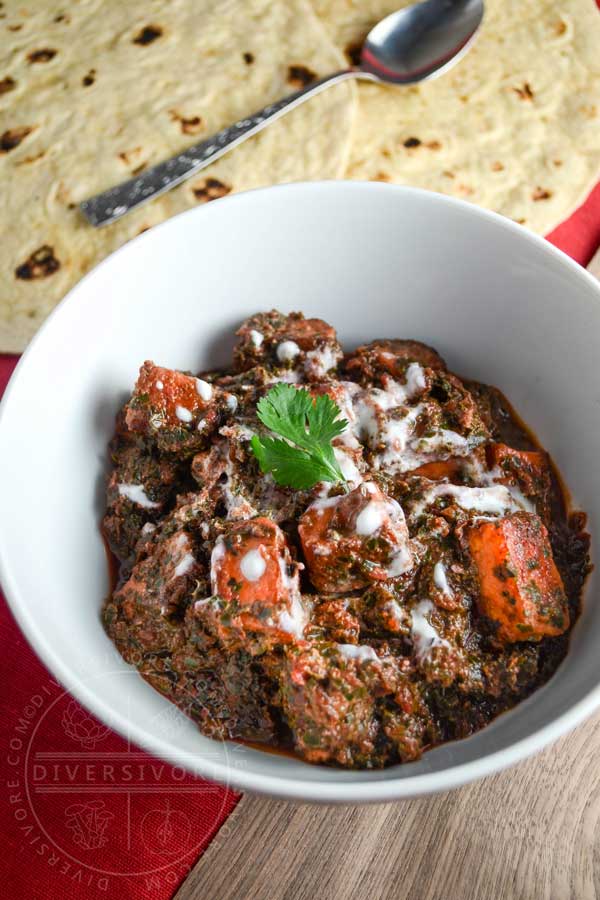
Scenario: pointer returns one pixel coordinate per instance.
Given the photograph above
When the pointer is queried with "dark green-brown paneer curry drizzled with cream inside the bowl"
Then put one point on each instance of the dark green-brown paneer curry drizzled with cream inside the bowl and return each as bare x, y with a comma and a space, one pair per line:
406, 602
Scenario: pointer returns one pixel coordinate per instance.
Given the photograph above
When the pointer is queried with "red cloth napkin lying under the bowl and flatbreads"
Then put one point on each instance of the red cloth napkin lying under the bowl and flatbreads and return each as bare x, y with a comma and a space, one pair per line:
72, 826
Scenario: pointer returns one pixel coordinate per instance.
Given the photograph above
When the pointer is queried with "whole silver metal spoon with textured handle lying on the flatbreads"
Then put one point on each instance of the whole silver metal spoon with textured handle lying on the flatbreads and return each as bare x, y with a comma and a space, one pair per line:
413, 44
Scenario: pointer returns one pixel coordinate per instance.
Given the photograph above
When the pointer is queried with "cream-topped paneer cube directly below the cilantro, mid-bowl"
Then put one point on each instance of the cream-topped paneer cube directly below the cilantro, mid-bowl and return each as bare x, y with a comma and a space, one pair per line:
353, 539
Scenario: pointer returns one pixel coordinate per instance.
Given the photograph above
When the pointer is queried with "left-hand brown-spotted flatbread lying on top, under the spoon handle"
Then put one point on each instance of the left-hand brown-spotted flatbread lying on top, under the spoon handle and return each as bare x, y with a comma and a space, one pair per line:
91, 92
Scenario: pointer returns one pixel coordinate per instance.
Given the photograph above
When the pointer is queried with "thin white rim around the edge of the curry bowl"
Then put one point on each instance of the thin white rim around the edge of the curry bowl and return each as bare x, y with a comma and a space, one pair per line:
285, 786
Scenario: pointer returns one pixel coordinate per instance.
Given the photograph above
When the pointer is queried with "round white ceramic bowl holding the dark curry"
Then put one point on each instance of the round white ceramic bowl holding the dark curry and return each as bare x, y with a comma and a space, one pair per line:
376, 261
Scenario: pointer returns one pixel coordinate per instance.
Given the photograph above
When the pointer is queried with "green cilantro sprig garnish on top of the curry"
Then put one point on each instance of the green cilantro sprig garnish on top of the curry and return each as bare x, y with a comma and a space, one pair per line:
303, 454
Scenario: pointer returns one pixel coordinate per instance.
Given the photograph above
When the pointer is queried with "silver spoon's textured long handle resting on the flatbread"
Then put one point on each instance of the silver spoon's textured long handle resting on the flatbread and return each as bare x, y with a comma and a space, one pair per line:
119, 200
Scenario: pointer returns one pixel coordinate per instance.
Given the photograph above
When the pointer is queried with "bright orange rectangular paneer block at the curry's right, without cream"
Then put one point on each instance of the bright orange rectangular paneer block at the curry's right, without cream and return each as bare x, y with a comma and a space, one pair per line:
520, 587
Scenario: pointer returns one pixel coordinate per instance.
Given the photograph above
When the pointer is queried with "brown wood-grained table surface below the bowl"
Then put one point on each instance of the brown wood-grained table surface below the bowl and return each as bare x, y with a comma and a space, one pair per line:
530, 833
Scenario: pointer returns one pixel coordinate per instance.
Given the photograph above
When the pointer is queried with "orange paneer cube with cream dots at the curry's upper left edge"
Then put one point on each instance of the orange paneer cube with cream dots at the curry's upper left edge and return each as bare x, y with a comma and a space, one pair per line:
177, 410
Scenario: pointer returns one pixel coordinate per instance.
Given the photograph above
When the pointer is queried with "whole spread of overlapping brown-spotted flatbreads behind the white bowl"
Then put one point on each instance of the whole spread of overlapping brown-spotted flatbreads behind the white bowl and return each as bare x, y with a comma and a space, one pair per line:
94, 91
